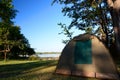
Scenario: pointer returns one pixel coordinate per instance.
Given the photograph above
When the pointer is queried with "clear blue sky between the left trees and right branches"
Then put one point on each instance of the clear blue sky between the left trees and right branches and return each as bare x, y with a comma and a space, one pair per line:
38, 21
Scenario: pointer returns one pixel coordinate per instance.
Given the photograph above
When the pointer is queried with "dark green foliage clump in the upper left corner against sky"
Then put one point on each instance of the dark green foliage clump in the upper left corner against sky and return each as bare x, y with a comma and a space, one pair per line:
7, 11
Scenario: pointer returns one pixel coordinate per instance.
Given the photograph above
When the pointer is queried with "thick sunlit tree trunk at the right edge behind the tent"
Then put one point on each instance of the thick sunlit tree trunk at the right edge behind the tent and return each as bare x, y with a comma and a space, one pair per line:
114, 6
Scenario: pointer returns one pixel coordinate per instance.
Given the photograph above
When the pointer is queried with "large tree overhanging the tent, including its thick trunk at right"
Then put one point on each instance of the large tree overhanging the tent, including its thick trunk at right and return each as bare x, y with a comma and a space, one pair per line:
100, 14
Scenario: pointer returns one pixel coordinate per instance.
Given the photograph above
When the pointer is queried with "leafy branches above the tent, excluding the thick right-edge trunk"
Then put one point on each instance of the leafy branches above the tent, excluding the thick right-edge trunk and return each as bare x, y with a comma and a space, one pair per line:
88, 15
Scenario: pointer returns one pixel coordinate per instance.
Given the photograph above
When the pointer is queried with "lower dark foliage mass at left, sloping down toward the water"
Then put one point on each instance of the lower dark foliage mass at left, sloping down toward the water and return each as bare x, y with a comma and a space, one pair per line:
11, 39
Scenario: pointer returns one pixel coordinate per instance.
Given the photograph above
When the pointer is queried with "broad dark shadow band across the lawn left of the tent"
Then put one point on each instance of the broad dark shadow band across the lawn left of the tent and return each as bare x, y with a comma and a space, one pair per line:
12, 70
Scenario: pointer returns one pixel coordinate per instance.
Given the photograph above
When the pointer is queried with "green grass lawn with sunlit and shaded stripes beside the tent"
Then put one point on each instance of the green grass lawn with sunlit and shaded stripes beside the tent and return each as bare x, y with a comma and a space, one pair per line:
33, 70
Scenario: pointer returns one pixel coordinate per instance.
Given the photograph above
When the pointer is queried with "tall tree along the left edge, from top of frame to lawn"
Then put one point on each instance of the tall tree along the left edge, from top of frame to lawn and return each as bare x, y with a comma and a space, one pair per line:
7, 13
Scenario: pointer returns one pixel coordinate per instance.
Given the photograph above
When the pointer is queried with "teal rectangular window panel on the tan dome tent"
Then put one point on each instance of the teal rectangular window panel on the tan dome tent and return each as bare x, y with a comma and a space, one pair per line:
83, 52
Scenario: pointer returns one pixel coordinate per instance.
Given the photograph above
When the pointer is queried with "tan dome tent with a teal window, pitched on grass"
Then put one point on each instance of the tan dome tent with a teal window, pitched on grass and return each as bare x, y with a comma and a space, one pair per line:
85, 55
